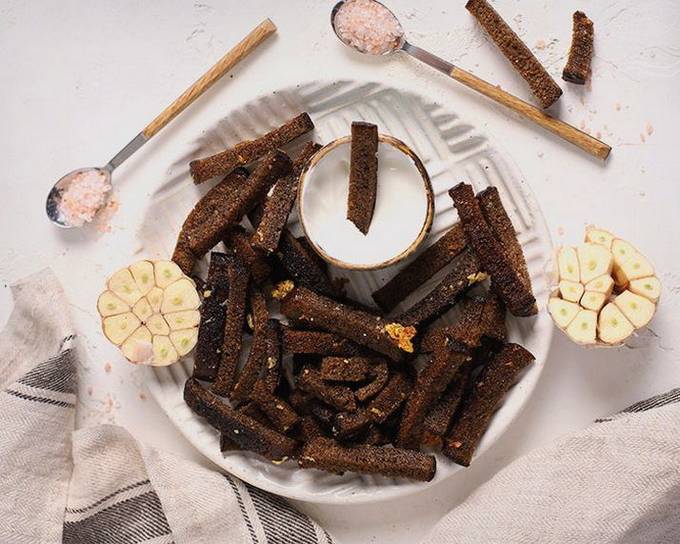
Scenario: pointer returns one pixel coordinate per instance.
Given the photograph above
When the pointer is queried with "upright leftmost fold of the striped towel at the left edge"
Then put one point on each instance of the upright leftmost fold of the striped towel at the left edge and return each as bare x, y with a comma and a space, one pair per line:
37, 413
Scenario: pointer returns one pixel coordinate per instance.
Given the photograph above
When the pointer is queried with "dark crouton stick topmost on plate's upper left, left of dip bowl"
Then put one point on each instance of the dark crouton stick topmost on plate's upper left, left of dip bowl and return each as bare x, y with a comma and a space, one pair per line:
246, 152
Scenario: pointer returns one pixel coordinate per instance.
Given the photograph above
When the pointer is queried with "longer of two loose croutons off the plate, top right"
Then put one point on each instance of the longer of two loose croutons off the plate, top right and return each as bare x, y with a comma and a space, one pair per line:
544, 88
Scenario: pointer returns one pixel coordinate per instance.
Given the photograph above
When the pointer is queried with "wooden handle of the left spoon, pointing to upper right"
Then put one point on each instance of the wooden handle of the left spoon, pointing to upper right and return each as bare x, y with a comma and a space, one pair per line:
261, 32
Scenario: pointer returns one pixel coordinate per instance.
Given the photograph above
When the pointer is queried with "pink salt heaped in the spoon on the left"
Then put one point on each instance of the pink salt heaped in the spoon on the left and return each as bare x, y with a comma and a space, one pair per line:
85, 193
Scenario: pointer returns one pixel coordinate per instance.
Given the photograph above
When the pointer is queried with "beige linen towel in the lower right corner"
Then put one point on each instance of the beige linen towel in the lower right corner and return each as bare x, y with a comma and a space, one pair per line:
616, 482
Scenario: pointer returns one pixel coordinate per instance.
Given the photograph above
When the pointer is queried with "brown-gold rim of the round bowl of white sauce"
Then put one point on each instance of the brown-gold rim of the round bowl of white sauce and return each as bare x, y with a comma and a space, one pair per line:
427, 184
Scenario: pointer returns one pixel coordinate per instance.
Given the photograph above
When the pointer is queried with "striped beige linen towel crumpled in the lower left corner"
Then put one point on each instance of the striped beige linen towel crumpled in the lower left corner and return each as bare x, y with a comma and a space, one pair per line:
99, 485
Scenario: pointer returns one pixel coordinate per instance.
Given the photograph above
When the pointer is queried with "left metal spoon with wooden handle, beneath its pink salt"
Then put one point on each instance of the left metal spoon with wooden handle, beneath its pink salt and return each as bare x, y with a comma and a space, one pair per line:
262, 31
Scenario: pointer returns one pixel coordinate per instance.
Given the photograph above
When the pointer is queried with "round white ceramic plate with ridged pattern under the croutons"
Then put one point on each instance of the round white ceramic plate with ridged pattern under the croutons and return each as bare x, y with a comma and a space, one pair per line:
452, 151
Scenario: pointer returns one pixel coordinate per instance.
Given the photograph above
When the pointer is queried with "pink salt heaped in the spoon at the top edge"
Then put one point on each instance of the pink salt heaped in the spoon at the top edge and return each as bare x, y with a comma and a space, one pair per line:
368, 26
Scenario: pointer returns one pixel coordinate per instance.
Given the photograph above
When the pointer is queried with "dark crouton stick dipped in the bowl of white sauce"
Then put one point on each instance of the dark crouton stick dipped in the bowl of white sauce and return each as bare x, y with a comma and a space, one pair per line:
363, 175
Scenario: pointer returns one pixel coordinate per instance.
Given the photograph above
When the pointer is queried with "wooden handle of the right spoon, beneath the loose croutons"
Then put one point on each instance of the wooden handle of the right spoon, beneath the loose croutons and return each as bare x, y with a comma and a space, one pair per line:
563, 130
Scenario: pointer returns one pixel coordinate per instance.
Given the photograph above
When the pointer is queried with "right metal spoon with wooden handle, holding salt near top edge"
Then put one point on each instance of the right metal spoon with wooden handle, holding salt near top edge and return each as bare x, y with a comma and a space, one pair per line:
565, 131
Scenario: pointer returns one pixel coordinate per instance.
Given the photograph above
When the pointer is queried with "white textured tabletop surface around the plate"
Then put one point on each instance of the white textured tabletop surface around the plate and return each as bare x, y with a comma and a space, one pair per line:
81, 78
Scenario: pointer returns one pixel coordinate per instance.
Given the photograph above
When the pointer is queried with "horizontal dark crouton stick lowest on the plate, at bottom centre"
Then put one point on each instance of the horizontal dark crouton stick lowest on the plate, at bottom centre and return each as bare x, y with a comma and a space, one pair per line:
325, 454
